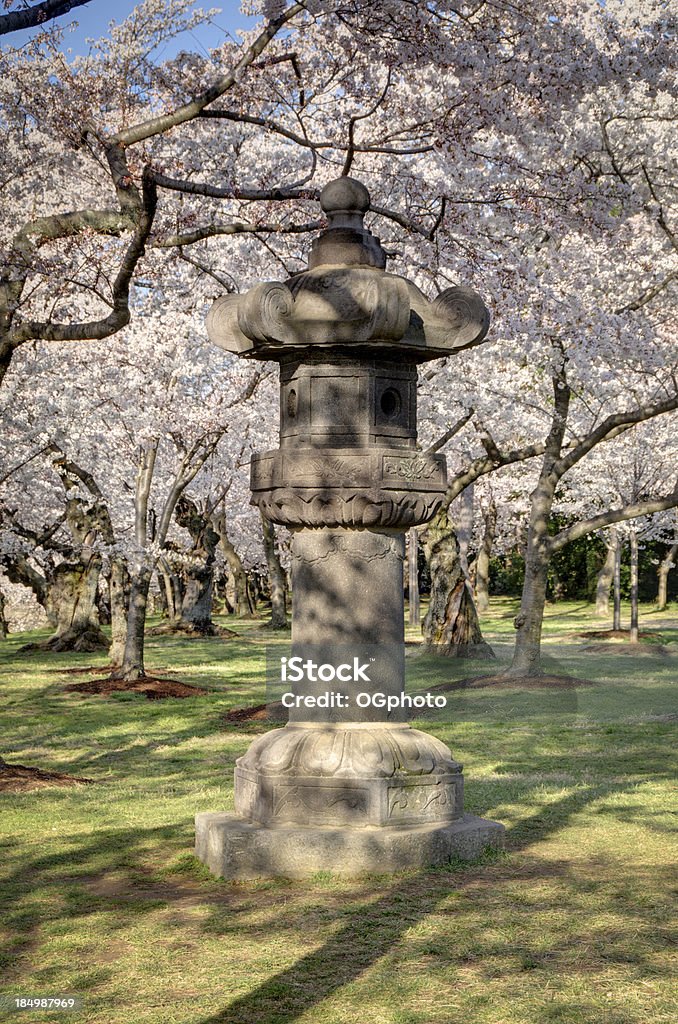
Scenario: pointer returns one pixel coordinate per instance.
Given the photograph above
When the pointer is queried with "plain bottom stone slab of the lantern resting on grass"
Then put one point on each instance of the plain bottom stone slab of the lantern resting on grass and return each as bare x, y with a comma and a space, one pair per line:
239, 850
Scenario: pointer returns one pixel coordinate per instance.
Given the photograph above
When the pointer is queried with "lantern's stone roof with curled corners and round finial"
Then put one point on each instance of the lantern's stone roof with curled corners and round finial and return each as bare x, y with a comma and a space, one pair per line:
348, 301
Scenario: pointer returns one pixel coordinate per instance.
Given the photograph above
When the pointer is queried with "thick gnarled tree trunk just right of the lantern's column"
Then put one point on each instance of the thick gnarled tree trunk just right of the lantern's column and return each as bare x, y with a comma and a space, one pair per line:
451, 627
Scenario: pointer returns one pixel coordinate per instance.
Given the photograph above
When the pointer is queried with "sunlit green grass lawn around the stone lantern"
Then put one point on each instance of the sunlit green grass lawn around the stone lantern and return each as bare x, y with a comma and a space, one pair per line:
102, 898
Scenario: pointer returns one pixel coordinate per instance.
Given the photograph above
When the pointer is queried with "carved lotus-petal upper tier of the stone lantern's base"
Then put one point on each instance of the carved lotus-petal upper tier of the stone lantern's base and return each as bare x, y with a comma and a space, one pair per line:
354, 775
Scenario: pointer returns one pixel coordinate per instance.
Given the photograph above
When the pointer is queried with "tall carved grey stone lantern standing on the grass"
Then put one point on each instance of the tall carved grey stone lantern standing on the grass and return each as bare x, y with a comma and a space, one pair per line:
351, 788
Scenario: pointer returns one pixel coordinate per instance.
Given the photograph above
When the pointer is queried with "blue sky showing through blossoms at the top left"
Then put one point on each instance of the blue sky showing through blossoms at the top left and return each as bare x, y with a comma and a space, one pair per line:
94, 21
